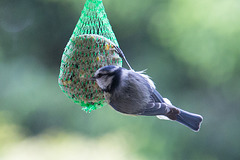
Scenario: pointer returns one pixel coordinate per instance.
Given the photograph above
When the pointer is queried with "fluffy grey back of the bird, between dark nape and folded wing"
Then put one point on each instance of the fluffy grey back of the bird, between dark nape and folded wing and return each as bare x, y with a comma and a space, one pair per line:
132, 94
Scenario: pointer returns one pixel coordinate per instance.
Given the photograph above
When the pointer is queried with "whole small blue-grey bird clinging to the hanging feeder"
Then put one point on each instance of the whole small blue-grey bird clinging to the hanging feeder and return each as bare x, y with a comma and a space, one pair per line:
134, 93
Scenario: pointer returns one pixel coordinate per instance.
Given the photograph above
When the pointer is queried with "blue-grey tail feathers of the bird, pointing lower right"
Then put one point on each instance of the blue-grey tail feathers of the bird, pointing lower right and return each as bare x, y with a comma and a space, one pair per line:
190, 120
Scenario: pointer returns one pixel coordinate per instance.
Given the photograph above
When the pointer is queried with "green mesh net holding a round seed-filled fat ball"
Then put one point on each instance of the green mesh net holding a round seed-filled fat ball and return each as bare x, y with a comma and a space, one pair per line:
91, 46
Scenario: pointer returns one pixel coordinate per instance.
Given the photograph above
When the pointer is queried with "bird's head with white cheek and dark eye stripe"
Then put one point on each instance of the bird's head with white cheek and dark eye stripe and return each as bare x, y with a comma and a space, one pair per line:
105, 76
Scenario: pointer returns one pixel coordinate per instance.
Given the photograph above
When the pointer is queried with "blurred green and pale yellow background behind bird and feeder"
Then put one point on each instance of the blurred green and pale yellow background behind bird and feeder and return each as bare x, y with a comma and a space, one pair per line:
191, 50
